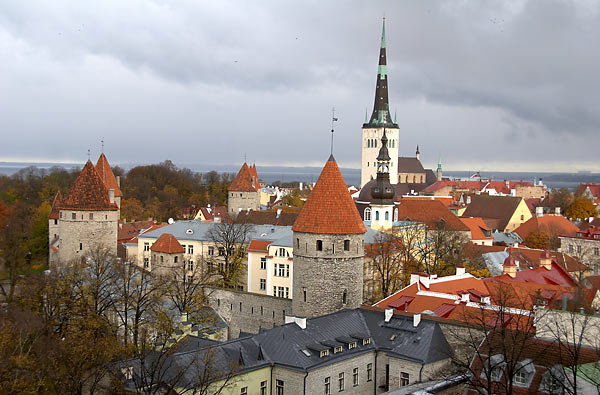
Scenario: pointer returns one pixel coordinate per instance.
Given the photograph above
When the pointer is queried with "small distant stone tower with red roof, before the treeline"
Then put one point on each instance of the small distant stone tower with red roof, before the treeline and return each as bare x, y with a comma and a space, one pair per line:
244, 191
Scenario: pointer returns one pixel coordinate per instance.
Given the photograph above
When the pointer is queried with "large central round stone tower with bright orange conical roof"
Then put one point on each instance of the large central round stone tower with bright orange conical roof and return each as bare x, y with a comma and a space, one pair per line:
328, 249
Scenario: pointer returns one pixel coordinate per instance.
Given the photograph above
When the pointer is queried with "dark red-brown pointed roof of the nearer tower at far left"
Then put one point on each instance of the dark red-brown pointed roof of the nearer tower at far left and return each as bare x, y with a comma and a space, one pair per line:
88, 192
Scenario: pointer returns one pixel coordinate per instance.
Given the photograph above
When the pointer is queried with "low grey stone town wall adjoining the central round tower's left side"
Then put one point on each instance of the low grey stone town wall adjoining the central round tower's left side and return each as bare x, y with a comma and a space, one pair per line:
248, 312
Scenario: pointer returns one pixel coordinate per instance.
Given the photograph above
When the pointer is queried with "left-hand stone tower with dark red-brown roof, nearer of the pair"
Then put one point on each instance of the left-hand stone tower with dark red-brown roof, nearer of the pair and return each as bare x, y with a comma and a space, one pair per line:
88, 216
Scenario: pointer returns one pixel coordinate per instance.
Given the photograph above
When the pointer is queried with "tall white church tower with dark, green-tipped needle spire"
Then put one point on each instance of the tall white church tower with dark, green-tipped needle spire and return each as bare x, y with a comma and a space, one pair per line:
372, 130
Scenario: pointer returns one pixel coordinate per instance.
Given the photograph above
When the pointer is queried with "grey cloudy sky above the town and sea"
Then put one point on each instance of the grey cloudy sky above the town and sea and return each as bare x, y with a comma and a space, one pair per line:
488, 85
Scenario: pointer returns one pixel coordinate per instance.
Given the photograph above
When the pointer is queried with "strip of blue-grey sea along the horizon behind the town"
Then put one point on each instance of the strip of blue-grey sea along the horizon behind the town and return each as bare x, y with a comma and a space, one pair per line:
270, 174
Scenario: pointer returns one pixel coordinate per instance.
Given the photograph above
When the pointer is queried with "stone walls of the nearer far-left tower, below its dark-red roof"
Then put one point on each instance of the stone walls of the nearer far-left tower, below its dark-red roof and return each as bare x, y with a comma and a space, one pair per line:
79, 236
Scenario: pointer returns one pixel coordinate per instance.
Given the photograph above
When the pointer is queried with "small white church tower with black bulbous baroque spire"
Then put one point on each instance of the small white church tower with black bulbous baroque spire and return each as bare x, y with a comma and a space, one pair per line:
382, 192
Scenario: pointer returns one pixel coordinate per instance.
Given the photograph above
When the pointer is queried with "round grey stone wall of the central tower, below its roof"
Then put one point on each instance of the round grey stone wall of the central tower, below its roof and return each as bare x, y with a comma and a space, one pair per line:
325, 275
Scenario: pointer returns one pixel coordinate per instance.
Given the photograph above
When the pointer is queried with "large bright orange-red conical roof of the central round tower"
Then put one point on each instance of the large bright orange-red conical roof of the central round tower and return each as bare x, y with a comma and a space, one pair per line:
329, 208
